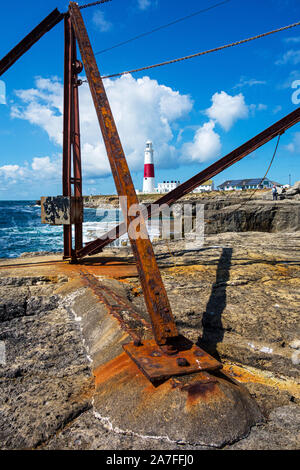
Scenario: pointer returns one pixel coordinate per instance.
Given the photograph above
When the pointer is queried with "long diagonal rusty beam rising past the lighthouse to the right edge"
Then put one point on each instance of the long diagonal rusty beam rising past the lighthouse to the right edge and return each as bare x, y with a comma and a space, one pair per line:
248, 147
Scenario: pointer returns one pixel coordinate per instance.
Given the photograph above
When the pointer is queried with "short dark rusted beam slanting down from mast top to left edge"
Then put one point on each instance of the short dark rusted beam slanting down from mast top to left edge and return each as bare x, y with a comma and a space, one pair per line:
46, 25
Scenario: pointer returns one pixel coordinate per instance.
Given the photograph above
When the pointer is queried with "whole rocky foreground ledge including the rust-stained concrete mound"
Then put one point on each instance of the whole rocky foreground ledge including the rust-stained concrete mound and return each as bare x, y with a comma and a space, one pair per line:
67, 384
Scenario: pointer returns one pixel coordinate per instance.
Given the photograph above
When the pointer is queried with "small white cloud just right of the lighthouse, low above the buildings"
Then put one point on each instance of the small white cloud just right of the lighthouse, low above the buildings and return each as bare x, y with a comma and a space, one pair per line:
206, 144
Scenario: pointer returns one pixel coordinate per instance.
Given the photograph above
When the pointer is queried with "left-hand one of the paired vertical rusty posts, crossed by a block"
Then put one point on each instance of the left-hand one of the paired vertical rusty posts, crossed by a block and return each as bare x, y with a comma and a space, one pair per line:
67, 132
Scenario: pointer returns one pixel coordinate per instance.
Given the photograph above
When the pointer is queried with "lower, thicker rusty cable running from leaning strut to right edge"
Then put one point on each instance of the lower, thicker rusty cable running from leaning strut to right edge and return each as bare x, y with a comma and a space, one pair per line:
173, 61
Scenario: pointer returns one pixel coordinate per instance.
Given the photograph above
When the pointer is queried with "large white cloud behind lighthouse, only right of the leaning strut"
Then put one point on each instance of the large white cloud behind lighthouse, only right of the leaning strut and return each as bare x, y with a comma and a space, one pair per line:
148, 111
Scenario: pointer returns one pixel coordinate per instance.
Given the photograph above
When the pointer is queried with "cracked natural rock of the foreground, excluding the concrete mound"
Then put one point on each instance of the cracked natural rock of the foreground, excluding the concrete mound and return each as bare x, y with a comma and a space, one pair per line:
237, 297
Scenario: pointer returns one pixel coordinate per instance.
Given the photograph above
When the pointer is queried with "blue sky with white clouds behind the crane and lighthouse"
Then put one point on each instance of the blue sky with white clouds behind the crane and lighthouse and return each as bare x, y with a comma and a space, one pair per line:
194, 112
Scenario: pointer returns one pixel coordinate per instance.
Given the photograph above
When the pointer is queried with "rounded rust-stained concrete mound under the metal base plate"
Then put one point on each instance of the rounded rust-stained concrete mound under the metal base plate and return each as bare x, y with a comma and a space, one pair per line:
199, 409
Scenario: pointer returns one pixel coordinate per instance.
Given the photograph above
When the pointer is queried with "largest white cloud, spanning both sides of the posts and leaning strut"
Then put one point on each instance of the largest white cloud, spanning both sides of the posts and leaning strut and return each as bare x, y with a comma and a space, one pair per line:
142, 109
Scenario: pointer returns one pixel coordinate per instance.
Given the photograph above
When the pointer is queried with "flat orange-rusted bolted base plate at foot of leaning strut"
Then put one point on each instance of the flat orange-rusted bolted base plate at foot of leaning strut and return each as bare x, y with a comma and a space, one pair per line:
157, 366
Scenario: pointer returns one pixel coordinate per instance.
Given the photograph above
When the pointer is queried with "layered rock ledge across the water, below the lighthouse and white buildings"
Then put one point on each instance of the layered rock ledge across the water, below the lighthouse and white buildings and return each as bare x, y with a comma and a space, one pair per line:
233, 212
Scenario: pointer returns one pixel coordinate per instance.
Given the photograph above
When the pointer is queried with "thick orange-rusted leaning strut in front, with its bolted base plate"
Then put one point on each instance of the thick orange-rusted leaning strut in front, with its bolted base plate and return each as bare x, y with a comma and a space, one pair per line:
152, 357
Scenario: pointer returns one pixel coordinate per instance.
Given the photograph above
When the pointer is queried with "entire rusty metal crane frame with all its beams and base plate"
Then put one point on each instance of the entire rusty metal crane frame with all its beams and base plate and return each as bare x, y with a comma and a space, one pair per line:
169, 353
